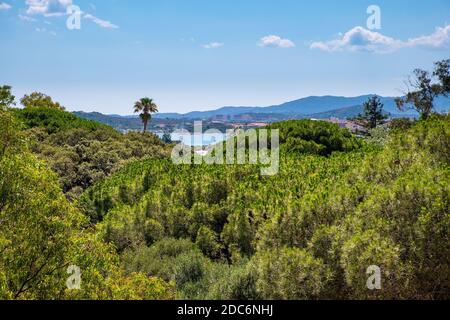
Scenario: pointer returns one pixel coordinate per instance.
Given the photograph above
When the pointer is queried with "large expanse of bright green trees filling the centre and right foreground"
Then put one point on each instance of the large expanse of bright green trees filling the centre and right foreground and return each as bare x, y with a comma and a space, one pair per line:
310, 232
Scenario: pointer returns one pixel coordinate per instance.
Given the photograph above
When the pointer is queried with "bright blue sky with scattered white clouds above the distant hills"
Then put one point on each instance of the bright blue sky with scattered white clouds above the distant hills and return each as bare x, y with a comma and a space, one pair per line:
203, 54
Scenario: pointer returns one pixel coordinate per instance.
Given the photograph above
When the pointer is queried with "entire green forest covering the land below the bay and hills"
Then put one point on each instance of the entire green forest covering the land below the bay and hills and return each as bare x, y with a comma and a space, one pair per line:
74, 192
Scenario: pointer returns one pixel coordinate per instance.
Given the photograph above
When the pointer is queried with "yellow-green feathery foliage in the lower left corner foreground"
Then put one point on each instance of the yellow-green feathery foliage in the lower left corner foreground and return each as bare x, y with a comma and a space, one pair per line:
41, 234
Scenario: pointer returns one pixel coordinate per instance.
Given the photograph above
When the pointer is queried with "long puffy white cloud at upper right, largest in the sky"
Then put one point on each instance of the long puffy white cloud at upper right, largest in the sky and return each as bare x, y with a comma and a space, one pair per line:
361, 39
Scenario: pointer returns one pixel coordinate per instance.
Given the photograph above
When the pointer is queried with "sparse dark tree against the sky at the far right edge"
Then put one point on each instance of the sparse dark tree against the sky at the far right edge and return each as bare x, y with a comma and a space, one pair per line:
426, 88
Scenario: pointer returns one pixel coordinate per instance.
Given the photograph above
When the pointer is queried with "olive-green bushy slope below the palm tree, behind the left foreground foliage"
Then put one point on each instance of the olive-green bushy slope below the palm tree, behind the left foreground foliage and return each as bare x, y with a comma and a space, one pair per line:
80, 151
